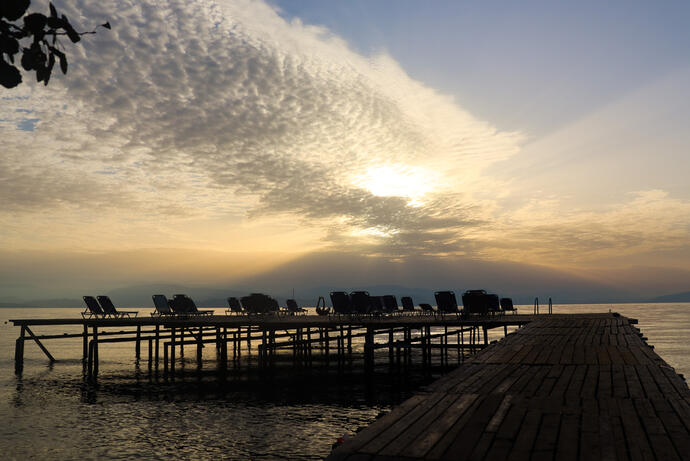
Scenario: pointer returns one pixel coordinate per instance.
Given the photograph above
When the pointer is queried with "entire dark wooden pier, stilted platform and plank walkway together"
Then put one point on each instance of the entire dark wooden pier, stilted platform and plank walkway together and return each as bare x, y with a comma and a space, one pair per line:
564, 387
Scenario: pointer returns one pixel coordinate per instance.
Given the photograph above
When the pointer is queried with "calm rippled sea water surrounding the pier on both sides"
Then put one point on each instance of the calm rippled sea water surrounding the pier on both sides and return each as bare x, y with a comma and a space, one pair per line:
295, 413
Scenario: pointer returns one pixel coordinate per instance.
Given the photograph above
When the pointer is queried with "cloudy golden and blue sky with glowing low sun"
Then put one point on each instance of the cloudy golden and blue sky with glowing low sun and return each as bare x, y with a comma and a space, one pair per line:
442, 145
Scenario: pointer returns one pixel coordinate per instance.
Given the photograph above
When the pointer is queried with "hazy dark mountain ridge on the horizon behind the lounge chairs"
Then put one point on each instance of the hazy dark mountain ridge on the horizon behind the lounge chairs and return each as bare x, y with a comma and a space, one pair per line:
318, 274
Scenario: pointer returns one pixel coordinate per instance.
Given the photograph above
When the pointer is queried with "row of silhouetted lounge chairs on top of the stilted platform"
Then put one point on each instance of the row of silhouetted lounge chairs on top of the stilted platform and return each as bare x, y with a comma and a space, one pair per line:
355, 303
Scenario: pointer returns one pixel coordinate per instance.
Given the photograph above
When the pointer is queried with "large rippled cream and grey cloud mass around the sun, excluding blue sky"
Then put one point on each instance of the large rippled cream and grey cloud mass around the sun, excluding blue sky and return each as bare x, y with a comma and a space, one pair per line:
214, 109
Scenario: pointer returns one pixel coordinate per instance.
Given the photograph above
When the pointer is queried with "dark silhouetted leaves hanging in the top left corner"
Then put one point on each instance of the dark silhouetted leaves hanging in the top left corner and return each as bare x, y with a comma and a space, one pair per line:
40, 33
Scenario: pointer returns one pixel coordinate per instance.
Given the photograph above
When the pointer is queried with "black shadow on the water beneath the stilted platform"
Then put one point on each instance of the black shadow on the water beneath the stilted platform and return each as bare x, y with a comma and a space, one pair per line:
279, 383
